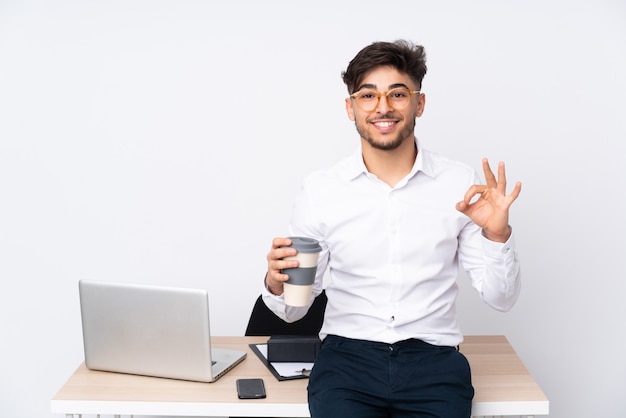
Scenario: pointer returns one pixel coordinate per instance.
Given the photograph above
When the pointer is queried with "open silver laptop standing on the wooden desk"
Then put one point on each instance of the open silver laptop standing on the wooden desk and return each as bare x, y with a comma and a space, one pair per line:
152, 331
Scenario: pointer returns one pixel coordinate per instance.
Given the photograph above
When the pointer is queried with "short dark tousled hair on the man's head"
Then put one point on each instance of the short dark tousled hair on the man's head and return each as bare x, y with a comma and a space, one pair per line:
404, 56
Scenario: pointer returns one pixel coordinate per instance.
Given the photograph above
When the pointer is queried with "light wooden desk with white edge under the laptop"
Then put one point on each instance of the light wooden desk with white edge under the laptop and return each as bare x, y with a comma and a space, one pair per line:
502, 384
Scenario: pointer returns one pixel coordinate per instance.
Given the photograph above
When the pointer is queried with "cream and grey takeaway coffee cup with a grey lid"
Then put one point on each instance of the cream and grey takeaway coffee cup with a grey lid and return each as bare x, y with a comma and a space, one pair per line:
297, 290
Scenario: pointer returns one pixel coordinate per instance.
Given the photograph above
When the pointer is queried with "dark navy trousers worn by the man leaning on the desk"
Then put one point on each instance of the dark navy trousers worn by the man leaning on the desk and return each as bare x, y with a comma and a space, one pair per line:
411, 378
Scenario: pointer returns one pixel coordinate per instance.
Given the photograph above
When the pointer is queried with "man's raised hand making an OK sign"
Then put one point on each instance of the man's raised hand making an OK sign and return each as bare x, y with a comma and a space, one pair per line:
491, 210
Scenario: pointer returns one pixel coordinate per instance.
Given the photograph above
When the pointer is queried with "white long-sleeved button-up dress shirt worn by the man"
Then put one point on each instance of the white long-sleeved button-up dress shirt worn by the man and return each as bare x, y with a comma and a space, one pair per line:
392, 254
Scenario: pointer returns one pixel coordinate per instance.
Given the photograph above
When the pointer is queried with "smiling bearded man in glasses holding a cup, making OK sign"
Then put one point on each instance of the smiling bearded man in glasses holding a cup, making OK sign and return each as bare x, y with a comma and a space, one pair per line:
393, 232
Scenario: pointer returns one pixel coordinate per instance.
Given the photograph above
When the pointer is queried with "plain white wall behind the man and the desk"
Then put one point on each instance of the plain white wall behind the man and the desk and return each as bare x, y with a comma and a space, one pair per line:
162, 142
